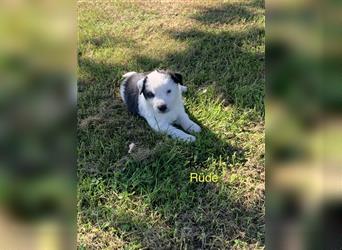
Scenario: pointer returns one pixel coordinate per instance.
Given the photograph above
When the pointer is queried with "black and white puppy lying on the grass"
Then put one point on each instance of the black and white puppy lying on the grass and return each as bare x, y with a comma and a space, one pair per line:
157, 97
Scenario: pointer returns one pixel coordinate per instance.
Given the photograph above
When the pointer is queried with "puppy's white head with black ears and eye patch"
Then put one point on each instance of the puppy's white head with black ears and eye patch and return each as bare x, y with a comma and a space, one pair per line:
161, 89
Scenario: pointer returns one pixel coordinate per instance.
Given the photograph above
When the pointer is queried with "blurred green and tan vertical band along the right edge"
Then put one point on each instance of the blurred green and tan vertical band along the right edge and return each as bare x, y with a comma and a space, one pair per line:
304, 124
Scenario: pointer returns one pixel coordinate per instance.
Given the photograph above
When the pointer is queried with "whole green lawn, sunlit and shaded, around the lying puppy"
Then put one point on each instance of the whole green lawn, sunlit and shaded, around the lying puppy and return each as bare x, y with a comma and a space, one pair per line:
144, 200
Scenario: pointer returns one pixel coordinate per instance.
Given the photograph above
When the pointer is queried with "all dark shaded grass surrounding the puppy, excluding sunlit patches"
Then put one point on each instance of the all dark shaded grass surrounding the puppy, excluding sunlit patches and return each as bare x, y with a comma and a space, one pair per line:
199, 216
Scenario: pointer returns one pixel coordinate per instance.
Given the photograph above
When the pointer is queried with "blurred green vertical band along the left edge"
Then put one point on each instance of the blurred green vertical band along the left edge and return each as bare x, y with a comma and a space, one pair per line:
37, 124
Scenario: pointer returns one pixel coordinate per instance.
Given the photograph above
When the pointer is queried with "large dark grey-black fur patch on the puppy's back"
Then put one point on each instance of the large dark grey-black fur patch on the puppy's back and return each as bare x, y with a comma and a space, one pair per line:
132, 92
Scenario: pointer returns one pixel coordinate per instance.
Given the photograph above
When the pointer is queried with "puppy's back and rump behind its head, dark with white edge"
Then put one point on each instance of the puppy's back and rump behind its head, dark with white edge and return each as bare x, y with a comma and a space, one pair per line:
129, 91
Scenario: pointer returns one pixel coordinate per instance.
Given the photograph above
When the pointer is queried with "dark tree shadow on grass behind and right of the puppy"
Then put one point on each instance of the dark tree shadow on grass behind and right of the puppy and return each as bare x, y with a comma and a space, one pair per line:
232, 73
